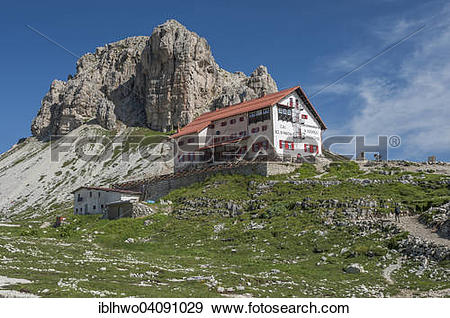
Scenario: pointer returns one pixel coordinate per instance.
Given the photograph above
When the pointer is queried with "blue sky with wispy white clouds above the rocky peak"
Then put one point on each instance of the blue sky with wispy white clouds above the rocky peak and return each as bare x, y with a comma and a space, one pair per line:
403, 92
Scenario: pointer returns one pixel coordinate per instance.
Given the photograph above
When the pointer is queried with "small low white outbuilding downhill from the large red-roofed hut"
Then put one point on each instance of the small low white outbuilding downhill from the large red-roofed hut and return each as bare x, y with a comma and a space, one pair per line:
94, 200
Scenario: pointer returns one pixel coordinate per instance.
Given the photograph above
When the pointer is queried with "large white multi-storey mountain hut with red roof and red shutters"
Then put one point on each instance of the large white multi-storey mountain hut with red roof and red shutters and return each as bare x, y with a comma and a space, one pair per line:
280, 126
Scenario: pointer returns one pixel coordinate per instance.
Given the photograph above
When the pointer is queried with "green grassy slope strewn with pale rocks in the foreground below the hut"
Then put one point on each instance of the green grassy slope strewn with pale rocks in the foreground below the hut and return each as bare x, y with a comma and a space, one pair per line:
194, 253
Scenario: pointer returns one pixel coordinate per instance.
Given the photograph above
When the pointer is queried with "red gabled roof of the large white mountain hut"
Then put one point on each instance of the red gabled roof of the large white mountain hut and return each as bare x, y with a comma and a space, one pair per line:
205, 119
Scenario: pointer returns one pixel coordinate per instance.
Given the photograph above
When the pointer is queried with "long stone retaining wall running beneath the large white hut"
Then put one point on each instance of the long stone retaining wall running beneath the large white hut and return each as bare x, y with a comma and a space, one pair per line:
157, 187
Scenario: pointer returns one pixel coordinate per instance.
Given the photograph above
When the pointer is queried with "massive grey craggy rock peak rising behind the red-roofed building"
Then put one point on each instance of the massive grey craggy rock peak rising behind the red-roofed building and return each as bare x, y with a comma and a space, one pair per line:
161, 82
